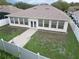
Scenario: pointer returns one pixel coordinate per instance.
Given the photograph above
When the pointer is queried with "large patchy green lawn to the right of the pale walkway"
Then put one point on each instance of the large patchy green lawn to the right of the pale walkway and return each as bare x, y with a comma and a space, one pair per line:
55, 45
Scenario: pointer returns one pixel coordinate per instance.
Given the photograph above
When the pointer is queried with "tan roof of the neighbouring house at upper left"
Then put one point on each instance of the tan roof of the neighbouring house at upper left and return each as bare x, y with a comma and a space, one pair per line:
9, 9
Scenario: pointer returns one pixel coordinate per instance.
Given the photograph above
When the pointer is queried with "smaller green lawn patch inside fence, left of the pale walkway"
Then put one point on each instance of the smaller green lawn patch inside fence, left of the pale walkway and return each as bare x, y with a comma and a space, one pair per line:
8, 32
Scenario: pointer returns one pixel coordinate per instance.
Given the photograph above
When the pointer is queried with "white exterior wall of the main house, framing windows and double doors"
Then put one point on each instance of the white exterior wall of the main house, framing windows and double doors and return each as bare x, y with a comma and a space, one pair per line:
45, 28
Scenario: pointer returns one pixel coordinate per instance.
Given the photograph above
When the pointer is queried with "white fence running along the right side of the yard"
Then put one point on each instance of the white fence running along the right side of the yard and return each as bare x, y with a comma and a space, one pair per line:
74, 28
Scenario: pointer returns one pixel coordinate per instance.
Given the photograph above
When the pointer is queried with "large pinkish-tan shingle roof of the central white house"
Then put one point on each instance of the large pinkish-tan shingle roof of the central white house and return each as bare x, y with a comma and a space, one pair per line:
42, 12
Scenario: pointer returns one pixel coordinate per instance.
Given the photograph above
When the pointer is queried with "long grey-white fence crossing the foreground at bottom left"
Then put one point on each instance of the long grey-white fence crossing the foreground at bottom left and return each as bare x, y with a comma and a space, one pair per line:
19, 52
